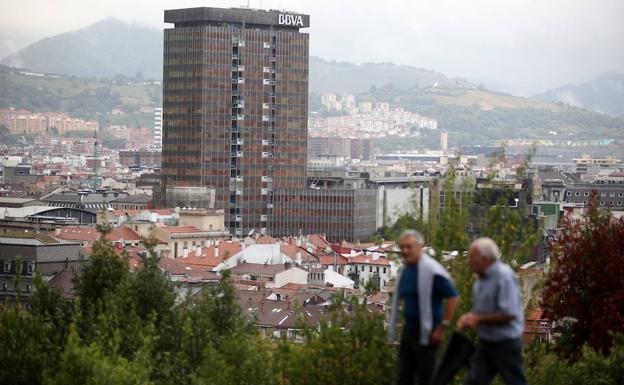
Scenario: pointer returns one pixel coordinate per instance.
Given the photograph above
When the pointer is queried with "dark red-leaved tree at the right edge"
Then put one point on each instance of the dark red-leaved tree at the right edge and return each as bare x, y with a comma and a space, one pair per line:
584, 291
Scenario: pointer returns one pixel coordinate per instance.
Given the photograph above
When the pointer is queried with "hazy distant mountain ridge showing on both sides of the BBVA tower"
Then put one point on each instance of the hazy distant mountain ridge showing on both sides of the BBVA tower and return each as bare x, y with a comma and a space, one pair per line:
111, 47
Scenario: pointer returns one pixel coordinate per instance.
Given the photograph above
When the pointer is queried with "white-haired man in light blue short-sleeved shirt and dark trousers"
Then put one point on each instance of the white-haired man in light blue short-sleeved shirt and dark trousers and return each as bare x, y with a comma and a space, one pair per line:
497, 316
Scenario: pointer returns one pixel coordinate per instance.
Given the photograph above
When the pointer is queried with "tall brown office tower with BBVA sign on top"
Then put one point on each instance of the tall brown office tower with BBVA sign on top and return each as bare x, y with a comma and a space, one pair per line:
235, 99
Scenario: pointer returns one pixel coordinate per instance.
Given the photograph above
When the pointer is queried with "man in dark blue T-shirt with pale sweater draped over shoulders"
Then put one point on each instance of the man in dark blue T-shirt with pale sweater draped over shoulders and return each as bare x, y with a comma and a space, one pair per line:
422, 286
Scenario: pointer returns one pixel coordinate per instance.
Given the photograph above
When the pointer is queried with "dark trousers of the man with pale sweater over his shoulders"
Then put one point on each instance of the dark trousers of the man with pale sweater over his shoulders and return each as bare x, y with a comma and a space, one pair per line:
416, 362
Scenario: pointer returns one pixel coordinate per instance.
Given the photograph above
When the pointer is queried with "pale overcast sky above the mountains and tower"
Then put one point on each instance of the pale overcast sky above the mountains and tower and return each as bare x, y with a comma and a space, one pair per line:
518, 46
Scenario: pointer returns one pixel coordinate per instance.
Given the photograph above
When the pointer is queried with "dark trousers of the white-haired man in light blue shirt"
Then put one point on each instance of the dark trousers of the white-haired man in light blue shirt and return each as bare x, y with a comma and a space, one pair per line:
491, 358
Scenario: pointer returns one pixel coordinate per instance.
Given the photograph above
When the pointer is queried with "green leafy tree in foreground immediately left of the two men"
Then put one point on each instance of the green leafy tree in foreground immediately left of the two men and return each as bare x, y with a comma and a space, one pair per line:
344, 349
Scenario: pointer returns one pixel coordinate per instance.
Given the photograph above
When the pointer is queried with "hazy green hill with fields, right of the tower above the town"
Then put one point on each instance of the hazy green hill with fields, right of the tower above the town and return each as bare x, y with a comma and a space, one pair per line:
481, 116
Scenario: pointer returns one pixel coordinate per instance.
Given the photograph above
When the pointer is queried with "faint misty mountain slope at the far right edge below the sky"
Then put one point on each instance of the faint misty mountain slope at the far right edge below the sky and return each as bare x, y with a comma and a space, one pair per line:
604, 94
